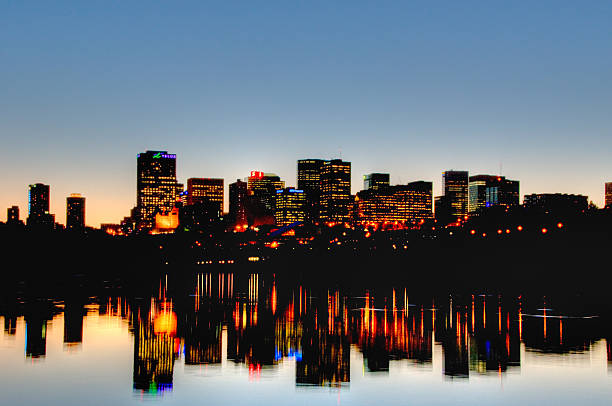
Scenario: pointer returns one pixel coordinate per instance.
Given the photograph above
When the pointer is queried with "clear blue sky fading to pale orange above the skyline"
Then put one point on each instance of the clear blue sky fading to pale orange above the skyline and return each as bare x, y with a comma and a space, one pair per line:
409, 88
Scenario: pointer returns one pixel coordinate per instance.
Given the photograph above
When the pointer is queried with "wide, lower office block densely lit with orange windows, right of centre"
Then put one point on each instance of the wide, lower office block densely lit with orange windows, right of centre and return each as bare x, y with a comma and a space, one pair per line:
400, 203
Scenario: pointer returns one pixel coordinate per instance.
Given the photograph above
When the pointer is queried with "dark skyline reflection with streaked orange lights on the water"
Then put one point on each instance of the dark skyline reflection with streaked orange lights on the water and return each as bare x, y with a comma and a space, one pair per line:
254, 322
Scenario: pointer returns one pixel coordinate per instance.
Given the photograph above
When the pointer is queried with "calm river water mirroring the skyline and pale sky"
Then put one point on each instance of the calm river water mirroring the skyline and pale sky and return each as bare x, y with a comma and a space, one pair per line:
226, 339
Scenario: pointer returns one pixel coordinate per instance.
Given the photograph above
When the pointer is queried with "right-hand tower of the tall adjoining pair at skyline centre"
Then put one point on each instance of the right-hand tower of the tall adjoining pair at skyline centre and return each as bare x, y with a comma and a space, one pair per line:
336, 199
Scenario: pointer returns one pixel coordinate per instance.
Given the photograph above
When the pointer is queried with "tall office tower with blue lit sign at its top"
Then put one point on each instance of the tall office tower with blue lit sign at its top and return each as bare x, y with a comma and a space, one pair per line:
157, 188
